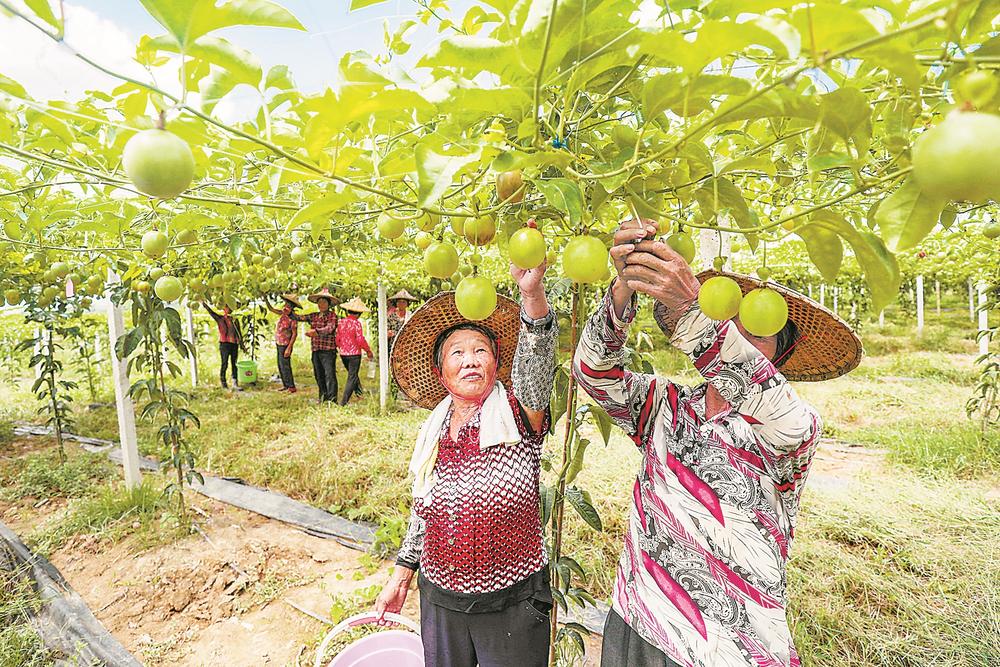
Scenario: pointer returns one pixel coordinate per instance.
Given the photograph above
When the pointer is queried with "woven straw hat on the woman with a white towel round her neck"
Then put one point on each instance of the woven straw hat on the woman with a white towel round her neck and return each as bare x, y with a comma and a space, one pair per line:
413, 352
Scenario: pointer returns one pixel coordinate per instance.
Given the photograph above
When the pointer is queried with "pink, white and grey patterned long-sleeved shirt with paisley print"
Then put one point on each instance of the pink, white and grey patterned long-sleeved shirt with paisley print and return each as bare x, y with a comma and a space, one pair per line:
702, 575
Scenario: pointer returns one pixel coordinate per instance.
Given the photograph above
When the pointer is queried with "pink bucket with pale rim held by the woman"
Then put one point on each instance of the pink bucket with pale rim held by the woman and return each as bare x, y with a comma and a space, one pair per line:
391, 648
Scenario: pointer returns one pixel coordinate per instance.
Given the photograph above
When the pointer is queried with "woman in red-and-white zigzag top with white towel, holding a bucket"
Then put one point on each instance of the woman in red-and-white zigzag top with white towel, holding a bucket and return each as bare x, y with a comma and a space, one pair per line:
475, 532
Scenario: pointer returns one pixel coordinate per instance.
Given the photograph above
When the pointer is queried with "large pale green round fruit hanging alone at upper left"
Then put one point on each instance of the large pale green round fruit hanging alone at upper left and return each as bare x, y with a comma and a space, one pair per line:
159, 163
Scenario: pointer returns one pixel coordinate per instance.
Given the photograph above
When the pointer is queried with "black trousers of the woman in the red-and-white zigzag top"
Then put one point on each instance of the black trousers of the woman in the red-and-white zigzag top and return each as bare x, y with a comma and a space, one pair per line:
515, 637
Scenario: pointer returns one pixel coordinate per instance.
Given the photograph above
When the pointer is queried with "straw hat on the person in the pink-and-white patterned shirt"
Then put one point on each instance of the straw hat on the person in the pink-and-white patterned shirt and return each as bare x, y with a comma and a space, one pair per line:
826, 347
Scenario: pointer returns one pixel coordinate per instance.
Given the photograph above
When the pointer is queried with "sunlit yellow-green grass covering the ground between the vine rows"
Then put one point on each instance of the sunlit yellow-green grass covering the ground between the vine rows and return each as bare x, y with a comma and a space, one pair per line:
899, 568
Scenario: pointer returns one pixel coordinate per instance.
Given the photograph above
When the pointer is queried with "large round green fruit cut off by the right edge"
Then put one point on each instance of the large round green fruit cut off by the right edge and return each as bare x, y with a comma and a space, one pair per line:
959, 159
